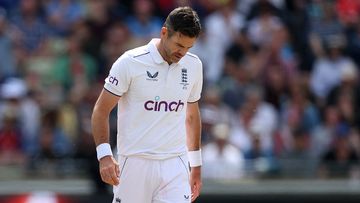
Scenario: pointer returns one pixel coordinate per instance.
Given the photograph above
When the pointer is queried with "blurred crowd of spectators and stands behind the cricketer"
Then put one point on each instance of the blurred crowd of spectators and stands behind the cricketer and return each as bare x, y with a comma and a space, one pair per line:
280, 103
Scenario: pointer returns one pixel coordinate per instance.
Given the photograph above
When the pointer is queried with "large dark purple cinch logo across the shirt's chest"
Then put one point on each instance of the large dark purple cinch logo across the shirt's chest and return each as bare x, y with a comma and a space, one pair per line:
158, 105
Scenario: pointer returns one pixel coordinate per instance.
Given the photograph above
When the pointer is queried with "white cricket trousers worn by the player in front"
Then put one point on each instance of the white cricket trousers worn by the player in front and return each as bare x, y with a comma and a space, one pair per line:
153, 181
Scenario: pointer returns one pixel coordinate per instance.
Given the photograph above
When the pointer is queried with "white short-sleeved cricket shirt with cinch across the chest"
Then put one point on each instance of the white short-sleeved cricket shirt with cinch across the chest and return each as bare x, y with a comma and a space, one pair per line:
154, 96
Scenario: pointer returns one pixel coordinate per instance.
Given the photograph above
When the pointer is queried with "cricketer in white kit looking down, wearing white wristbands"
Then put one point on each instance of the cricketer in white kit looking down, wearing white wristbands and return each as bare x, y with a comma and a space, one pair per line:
156, 88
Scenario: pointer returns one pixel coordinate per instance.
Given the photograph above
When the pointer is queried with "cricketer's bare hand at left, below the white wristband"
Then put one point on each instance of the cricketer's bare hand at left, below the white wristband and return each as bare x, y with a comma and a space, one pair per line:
109, 170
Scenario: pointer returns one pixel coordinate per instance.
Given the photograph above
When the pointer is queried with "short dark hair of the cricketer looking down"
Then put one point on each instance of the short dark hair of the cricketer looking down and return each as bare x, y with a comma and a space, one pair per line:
184, 20
